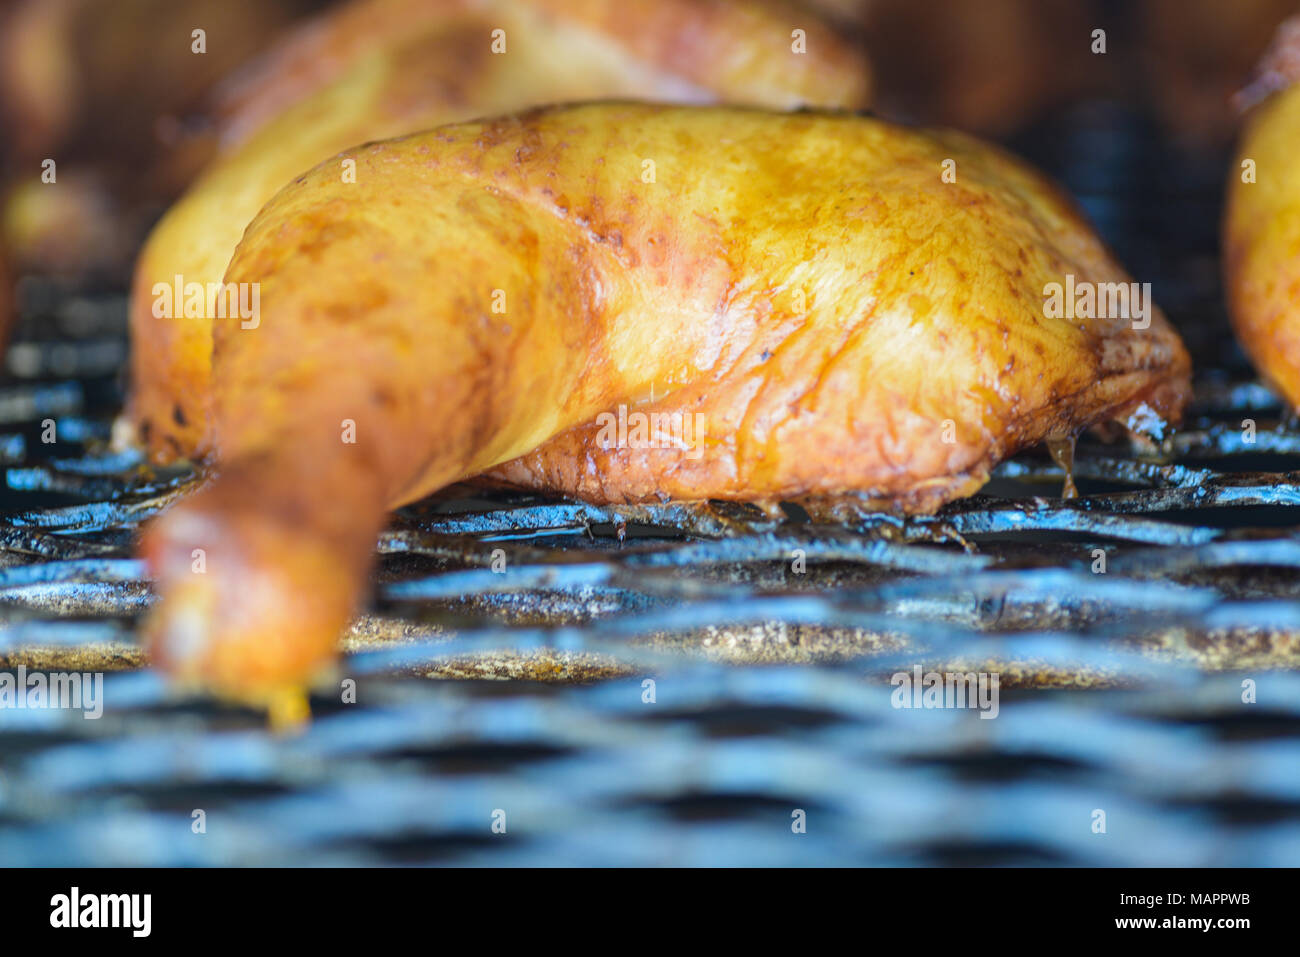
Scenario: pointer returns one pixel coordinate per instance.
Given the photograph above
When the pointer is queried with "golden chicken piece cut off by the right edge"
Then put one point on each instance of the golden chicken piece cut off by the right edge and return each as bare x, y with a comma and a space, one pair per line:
1262, 228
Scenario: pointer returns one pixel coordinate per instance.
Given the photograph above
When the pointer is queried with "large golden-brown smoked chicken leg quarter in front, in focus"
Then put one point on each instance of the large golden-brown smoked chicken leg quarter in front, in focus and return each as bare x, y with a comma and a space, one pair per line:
847, 322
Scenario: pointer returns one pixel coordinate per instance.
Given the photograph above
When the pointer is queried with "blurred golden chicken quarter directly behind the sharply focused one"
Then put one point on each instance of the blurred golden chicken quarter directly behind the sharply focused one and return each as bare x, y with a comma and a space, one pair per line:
380, 68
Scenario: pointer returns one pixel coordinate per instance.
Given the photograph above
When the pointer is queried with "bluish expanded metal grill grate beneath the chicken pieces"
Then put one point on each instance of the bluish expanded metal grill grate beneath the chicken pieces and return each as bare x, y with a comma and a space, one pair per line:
1123, 690
